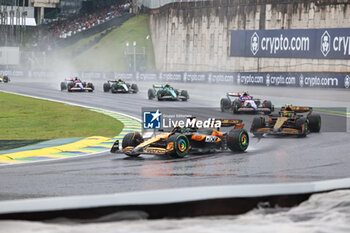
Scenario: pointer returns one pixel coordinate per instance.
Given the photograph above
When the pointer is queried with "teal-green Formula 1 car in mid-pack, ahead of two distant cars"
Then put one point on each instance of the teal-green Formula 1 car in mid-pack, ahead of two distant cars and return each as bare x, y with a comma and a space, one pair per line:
166, 92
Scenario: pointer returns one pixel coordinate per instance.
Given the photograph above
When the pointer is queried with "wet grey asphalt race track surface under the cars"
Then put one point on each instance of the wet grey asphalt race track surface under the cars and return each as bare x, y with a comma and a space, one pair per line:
269, 160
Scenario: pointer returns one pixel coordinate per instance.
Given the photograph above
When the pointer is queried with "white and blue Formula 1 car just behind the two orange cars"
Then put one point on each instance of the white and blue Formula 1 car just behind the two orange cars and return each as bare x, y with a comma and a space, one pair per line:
244, 103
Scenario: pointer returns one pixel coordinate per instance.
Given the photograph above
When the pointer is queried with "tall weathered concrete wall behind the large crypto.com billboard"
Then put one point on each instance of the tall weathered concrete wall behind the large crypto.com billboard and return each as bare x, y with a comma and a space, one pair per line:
196, 36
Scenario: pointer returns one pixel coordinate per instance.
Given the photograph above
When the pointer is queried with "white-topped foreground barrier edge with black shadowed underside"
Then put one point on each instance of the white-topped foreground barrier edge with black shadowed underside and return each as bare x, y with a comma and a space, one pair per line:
170, 203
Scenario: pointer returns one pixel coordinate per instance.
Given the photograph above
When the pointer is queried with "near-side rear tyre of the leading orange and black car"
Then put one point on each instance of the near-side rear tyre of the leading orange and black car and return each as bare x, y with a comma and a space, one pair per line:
238, 140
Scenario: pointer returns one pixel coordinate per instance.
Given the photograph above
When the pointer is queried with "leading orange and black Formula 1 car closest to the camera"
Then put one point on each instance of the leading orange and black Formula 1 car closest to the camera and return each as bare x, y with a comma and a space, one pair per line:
182, 141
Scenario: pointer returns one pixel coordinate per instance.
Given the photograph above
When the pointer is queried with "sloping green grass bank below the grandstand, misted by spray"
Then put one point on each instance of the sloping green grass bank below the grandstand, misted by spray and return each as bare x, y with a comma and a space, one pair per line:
108, 54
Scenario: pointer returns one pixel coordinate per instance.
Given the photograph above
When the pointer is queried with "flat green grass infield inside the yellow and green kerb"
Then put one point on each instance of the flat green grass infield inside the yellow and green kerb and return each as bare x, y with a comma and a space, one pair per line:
24, 118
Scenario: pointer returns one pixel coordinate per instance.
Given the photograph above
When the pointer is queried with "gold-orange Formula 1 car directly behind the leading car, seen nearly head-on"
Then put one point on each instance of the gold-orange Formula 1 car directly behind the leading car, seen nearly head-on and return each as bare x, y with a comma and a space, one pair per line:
289, 121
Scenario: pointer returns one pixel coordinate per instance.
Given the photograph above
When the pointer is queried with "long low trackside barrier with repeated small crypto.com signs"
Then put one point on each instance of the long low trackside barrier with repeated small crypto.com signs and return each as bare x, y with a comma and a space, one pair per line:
302, 80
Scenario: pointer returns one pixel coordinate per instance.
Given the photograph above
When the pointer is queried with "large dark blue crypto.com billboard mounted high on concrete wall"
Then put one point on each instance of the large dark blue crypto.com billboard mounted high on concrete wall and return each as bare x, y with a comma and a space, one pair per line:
328, 43
